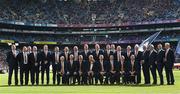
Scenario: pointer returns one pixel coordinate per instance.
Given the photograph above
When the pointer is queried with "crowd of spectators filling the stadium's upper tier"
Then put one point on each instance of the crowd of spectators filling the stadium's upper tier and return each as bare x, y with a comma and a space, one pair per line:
89, 11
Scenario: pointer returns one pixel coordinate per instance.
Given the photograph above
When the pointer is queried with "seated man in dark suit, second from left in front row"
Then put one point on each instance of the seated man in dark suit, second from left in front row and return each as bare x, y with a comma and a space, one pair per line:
72, 70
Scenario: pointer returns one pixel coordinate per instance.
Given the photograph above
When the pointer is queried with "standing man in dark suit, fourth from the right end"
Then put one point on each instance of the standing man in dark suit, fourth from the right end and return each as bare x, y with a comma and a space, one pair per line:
146, 65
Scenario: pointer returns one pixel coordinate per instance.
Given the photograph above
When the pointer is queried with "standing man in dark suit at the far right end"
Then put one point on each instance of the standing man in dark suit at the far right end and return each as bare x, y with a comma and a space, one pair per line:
169, 60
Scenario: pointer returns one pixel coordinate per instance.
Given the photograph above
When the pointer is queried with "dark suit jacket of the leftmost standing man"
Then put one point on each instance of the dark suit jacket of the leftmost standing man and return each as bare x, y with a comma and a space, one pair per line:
11, 60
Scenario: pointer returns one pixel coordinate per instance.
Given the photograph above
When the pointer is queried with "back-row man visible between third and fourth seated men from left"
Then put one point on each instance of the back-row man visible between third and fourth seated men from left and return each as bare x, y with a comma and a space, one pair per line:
85, 53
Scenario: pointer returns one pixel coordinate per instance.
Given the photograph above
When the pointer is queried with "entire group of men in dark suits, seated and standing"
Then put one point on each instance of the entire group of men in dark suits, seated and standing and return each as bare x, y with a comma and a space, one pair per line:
109, 66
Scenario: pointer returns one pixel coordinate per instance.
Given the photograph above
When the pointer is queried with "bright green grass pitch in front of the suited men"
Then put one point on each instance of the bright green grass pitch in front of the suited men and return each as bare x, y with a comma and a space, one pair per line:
115, 89
